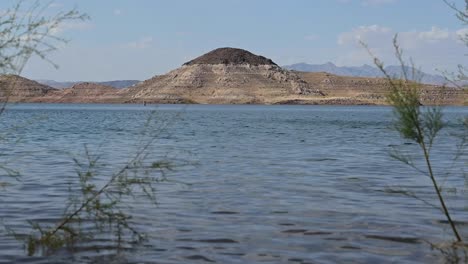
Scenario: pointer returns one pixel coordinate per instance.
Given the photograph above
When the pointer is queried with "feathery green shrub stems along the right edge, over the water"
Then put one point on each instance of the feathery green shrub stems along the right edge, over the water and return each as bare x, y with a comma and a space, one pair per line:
423, 125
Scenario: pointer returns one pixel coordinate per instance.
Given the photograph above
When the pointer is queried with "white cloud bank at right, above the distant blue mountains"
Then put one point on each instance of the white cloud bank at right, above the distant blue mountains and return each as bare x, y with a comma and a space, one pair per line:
433, 48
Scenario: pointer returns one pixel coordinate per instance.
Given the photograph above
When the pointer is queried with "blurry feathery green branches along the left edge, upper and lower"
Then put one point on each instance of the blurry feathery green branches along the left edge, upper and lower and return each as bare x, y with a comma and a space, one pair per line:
95, 206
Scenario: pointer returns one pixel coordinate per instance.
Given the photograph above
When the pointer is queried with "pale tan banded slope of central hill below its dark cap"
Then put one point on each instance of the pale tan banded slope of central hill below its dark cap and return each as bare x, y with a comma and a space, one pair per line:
221, 83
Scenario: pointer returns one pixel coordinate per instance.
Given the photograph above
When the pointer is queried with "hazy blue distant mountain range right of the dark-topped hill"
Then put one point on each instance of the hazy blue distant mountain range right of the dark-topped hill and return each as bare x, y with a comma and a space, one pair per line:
367, 71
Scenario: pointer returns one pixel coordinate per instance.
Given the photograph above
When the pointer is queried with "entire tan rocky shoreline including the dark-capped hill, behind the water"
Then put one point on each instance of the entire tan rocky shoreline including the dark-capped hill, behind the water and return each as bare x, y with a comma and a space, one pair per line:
229, 76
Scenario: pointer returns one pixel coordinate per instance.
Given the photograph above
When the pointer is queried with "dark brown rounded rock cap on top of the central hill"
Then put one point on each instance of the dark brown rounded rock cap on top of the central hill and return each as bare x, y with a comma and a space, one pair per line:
230, 56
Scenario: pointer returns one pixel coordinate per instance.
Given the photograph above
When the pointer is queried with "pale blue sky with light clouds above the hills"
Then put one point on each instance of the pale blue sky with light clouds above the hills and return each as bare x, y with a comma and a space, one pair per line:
138, 39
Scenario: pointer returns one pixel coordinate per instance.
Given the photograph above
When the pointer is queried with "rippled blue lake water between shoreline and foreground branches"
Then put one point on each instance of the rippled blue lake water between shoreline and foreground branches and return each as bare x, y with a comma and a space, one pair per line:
251, 184
